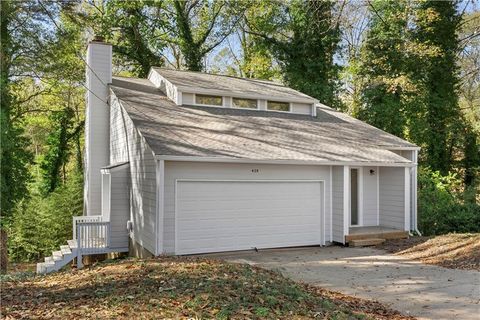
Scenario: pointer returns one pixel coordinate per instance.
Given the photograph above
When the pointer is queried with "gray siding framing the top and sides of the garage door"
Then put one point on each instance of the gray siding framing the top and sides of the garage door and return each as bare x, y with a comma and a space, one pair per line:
231, 171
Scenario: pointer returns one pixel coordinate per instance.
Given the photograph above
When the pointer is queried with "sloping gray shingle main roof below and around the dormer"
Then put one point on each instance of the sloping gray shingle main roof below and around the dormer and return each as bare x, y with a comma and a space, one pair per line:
248, 134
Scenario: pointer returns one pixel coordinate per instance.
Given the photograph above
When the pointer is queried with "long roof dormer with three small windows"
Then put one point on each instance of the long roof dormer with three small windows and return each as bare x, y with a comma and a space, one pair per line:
209, 90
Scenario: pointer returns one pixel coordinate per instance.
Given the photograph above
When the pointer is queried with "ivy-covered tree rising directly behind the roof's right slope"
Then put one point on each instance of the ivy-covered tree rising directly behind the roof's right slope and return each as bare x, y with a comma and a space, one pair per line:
384, 67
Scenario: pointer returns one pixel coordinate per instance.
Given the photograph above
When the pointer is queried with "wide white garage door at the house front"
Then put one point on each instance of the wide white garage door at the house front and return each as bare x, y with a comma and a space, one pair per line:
215, 216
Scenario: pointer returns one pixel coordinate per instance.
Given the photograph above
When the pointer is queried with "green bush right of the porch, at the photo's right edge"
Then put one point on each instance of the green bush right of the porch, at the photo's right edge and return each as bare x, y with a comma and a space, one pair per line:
441, 208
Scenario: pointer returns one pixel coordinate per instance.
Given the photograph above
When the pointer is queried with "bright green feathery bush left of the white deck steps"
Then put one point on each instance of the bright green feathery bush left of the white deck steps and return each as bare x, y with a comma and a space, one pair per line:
40, 225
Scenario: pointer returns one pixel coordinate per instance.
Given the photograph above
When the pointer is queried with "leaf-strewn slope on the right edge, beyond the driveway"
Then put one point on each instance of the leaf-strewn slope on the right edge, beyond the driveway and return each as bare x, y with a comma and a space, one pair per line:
454, 250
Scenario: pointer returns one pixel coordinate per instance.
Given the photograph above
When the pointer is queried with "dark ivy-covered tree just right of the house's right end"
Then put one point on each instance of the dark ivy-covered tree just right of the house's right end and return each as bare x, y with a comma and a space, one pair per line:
437, 24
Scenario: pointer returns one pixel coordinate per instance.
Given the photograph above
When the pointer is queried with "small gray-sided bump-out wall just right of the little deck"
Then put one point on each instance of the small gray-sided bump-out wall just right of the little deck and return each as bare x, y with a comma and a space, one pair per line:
119, 207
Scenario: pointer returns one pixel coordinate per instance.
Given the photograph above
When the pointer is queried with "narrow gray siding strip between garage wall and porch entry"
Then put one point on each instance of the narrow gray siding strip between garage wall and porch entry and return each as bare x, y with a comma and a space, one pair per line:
337, 204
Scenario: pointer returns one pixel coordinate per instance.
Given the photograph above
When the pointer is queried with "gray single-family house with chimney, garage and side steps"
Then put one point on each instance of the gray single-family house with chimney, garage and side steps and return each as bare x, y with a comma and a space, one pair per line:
187, 163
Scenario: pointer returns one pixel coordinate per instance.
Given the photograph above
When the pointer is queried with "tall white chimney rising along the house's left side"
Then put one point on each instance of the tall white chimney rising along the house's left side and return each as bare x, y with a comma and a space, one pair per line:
97, 122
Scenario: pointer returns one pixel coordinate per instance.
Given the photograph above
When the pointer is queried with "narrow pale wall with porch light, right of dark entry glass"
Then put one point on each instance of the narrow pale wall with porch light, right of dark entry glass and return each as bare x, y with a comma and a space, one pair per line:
370, 196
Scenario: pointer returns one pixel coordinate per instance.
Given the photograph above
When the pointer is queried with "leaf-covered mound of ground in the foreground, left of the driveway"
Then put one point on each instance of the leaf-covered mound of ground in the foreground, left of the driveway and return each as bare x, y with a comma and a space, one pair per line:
173, 287
